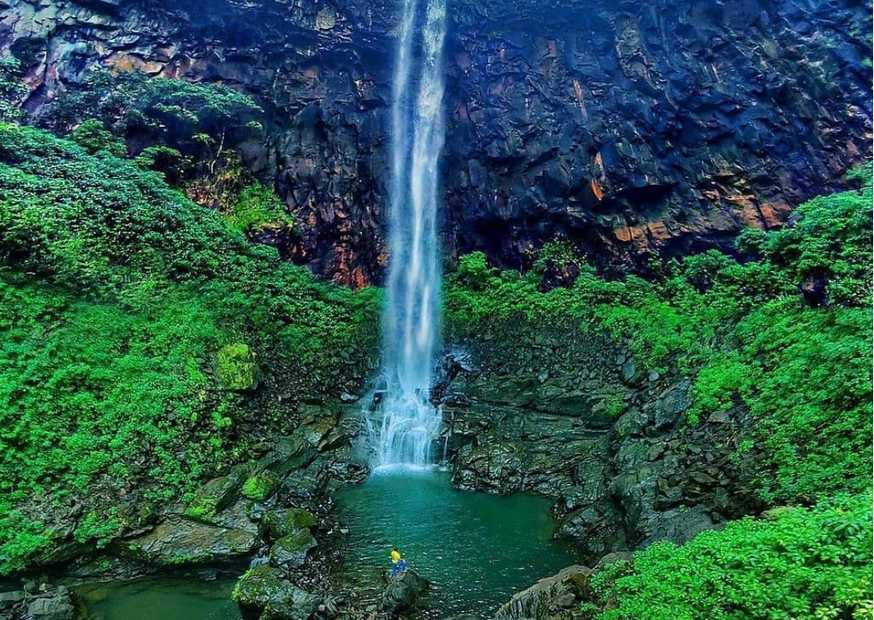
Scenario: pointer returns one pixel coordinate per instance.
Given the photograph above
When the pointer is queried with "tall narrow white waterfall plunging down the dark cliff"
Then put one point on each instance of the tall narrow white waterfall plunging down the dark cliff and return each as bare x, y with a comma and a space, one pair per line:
407, 423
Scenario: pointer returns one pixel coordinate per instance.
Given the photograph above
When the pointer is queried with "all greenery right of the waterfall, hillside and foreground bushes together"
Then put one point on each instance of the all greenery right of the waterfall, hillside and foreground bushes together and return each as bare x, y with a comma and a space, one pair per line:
750, 340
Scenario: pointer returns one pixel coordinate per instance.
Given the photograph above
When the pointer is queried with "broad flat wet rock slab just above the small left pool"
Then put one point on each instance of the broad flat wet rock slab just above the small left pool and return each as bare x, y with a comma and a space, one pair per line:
181, 542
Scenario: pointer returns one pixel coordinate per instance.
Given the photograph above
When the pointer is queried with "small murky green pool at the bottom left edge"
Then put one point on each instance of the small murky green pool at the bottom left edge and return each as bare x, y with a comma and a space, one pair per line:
161, 599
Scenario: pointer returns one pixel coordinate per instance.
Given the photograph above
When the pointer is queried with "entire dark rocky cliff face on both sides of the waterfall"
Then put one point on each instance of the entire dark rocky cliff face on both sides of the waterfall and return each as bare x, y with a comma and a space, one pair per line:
631, 128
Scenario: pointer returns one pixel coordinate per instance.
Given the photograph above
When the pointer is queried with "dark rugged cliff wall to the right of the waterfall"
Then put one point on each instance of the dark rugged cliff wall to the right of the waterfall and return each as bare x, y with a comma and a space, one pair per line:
640, 127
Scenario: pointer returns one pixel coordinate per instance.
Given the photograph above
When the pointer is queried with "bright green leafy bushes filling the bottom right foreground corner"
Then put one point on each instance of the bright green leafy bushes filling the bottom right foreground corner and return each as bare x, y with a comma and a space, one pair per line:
794, 563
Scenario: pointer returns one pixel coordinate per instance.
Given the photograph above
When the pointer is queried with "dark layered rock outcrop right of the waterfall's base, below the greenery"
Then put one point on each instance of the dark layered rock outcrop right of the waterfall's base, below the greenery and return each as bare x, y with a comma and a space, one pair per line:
570, 416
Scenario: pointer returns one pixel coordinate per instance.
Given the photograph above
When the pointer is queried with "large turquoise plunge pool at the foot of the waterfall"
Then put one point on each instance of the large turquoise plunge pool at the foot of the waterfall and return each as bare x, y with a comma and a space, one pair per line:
476, 549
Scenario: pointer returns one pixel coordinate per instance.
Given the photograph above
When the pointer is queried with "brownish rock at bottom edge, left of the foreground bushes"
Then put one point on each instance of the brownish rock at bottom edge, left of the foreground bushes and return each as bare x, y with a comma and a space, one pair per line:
555, 597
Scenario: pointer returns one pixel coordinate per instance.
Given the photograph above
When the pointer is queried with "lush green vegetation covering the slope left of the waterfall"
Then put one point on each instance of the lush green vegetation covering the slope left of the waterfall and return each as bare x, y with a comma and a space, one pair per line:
117, 297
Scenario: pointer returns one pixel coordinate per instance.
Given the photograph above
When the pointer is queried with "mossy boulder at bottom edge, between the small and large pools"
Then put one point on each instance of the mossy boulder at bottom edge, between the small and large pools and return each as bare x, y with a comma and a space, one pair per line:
263, 590
